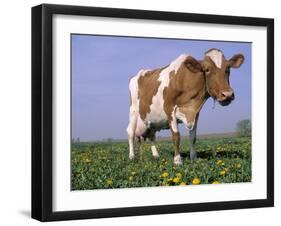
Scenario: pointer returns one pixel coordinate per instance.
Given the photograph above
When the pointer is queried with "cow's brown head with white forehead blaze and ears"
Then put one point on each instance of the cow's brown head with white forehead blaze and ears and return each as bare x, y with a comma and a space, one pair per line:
217, 70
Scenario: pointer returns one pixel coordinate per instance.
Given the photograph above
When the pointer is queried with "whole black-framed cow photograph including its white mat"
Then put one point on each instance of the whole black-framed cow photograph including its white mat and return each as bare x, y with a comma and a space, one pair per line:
145, 112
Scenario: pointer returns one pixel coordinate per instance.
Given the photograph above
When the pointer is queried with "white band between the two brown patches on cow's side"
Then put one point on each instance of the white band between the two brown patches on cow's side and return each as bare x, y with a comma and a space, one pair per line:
157, 113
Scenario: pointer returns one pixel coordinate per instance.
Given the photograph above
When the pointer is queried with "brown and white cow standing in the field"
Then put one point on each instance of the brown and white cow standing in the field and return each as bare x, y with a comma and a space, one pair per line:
164, 97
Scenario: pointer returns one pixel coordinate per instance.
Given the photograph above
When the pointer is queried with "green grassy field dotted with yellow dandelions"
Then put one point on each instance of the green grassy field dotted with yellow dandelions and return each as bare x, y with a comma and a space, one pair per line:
101, 165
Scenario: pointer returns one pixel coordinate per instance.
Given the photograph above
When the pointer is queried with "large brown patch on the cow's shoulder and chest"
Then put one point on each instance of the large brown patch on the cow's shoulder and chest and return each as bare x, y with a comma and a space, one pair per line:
186, 89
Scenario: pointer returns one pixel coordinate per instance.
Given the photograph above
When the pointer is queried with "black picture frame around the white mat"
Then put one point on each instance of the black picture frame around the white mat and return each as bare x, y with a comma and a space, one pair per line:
42, 111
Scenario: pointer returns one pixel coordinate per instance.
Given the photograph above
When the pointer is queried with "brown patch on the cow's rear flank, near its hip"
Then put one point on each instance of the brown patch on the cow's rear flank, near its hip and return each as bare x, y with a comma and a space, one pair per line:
148, 85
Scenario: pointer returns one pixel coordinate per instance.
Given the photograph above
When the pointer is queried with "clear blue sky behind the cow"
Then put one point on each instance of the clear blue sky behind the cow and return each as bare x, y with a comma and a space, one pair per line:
102, 66
